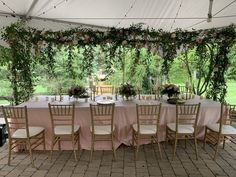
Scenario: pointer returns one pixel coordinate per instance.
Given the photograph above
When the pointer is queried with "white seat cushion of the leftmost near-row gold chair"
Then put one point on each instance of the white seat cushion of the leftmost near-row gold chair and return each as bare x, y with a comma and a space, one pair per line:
21, 133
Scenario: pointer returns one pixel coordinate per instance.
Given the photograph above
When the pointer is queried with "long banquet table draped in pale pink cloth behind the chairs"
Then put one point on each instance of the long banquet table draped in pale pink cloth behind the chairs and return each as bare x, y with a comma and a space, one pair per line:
125, 116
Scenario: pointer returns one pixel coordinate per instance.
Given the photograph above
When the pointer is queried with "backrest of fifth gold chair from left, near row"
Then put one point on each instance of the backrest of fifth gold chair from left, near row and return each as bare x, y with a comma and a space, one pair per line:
187, 114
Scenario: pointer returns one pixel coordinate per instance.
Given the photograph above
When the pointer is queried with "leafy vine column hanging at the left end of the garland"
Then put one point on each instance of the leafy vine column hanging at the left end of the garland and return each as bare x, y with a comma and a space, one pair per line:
21, 63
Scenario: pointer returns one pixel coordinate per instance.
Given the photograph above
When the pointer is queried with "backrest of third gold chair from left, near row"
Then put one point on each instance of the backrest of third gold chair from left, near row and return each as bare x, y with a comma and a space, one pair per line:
102, 114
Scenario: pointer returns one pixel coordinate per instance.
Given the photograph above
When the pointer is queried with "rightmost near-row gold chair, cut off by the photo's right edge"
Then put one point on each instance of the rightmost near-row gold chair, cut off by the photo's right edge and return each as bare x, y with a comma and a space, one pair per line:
222, 130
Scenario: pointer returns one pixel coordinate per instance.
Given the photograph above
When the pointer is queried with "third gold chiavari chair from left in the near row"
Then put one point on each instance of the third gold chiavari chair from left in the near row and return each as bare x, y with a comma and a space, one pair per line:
102, 128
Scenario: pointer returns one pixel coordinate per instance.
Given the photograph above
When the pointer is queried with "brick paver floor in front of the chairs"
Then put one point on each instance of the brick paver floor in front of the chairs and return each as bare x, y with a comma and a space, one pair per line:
148, 163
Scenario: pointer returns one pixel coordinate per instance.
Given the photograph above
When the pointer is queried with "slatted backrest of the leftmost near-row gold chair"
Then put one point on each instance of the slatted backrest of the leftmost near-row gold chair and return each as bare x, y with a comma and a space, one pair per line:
15, 118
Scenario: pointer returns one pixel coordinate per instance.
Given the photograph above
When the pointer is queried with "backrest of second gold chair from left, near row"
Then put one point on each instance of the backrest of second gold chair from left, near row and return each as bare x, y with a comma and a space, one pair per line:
62, 115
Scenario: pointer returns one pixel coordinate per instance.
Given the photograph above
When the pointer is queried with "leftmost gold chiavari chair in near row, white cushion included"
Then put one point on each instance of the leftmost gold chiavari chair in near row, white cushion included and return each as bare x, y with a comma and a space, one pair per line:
19, 131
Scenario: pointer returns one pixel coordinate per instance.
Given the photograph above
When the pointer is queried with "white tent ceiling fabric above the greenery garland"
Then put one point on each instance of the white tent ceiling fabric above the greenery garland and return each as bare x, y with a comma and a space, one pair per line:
158, 14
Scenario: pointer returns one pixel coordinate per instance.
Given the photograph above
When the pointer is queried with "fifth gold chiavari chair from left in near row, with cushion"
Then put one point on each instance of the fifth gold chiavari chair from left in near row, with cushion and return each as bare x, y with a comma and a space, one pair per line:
185, 126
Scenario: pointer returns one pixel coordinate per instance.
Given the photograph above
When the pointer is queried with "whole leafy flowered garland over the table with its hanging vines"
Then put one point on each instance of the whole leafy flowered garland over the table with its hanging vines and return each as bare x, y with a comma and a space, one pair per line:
29, 46
